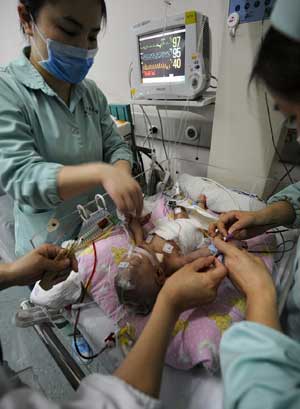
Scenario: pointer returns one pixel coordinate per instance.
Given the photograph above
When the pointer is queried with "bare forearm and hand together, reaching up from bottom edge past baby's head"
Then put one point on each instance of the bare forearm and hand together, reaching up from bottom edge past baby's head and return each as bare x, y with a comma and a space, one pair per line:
193, 285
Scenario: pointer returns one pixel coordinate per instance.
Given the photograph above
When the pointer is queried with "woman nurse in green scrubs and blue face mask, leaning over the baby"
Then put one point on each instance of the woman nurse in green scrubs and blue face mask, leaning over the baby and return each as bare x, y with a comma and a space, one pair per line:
58, 143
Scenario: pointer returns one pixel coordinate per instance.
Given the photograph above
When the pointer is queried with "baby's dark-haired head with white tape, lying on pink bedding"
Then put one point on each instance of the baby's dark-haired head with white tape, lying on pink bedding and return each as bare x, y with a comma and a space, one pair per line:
138, 281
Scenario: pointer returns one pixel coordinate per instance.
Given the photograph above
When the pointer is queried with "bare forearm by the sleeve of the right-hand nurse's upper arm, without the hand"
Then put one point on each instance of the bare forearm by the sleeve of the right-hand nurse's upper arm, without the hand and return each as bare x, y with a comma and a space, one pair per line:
277, 214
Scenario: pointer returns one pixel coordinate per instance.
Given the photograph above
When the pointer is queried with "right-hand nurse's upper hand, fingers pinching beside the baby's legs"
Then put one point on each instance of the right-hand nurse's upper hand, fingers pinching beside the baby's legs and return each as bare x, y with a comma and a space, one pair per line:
243, 225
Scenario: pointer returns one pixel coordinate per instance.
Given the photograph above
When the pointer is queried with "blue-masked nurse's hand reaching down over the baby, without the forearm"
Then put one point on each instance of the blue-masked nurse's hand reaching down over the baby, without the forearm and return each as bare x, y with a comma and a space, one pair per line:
122, 188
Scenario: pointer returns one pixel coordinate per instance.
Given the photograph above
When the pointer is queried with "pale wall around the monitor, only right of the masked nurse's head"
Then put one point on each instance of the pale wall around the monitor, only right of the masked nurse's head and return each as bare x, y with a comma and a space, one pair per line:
111, 68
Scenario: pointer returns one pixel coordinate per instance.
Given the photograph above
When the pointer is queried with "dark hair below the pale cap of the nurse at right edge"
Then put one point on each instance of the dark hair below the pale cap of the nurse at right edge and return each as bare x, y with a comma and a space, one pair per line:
277, 65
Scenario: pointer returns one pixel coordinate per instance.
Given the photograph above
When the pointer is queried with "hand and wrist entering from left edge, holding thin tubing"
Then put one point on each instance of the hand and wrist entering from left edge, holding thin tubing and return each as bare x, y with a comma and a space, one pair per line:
31, 268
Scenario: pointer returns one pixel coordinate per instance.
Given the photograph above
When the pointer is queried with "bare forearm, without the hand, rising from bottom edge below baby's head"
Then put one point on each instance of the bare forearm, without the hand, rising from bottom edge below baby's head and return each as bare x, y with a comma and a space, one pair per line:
143, 366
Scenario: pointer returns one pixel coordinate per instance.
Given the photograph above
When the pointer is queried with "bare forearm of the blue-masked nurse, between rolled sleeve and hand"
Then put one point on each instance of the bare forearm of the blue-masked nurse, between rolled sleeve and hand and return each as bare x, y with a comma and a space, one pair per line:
75, 180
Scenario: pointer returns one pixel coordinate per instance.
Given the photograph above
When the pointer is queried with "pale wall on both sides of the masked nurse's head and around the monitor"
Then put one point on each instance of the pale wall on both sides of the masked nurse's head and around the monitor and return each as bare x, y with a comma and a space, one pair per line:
112, 63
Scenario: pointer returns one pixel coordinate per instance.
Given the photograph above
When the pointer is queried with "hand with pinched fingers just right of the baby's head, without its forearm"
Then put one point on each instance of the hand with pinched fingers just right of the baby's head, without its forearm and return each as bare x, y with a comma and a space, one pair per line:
194, 285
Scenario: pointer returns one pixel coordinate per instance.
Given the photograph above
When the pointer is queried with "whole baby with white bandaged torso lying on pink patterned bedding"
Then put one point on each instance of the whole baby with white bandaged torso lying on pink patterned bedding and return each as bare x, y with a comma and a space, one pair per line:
167, 248
